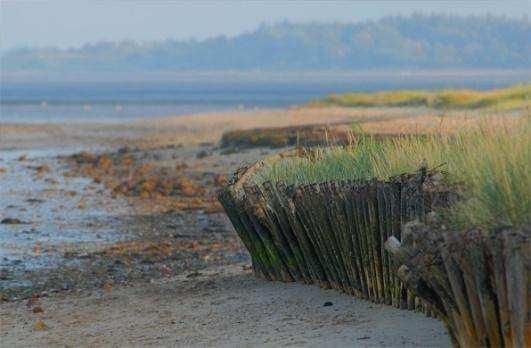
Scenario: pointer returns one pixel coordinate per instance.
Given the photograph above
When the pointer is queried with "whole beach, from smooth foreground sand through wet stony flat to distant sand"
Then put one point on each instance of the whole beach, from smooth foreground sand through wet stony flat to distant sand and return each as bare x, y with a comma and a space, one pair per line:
112, 235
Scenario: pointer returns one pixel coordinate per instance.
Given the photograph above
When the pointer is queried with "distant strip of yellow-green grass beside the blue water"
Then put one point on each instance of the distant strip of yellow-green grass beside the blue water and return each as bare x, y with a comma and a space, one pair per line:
514, 97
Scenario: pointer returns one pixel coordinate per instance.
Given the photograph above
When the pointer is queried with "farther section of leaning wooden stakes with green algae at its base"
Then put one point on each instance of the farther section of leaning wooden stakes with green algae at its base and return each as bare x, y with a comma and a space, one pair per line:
332, 233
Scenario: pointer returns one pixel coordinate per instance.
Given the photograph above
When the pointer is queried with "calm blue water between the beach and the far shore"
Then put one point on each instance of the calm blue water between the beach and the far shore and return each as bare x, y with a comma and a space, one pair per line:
122, 102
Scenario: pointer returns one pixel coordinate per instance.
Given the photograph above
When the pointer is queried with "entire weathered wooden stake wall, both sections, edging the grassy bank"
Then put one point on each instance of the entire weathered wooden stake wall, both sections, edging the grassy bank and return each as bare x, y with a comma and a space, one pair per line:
377, 240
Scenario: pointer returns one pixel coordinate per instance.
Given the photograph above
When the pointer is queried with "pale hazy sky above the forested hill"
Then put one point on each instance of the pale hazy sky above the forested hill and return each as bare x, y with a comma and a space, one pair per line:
72, 23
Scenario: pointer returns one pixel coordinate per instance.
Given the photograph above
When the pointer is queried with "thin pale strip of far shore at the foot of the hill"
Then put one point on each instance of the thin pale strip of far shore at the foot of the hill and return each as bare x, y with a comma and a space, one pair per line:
277, 76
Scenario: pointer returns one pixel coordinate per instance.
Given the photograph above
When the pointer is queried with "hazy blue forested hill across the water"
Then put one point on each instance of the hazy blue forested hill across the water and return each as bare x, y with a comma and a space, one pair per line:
414, 42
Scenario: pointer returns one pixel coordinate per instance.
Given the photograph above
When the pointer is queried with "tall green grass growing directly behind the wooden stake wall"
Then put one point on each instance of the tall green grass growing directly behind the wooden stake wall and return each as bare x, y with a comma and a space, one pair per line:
492, 165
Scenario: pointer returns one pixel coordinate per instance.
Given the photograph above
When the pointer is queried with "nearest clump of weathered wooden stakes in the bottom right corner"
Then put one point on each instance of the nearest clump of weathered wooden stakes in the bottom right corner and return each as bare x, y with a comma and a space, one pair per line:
476, 280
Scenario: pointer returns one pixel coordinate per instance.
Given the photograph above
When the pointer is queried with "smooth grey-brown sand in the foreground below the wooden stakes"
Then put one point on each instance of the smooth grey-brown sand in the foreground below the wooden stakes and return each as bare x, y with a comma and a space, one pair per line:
219, 307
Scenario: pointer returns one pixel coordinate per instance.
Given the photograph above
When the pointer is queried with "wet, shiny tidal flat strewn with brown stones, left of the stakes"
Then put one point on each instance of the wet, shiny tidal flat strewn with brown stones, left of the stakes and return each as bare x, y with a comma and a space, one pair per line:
73, 230
